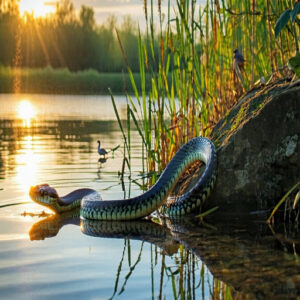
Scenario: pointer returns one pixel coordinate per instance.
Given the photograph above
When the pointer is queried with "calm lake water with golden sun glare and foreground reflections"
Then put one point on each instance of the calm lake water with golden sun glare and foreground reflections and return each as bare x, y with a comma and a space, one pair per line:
53, 139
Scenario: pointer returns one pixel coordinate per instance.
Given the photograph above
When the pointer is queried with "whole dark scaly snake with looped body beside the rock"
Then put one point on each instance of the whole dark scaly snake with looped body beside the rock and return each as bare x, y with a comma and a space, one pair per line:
156, 198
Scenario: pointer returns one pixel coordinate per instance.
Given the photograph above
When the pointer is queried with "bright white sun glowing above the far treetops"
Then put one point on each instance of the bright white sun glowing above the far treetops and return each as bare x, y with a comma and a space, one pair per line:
39, 8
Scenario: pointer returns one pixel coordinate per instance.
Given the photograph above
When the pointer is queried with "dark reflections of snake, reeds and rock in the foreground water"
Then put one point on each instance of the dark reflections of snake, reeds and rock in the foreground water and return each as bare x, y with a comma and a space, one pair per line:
248, 257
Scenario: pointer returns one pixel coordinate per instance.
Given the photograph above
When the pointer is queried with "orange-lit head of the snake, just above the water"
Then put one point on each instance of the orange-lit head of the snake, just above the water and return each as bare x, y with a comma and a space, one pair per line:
45, 195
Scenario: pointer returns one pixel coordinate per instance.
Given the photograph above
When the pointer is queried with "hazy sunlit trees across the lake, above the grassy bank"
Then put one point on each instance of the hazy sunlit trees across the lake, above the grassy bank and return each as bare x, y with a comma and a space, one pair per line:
65, 39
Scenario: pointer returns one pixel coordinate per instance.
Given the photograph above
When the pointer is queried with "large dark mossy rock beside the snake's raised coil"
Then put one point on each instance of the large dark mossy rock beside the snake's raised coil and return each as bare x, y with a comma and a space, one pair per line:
258, 146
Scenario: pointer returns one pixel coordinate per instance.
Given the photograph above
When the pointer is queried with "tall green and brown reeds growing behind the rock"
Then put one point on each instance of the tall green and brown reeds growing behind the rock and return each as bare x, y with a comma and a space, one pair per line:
192, 77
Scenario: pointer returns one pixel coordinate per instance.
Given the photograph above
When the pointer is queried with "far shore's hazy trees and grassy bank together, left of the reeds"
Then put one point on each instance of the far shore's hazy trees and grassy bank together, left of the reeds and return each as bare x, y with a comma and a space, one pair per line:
64, 52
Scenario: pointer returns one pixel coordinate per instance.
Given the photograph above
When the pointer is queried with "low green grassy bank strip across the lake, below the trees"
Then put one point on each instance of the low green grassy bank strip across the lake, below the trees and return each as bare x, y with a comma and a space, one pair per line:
62, 81
